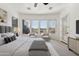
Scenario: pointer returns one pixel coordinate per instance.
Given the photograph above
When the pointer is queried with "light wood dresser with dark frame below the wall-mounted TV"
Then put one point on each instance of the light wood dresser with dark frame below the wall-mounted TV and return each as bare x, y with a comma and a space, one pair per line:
73, 44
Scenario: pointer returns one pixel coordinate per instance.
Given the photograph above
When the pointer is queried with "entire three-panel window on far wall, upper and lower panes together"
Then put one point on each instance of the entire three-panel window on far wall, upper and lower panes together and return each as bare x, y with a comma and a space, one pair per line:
44, 26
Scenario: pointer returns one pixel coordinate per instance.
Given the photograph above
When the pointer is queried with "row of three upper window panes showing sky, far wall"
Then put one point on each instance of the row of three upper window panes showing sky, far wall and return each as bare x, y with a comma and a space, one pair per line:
43, 24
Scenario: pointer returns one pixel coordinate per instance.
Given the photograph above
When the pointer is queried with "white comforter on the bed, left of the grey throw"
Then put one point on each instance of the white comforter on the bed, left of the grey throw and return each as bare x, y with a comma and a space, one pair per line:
18, 47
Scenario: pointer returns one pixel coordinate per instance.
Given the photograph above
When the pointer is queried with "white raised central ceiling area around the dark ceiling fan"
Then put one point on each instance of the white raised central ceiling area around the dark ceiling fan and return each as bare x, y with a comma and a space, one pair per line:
40, 9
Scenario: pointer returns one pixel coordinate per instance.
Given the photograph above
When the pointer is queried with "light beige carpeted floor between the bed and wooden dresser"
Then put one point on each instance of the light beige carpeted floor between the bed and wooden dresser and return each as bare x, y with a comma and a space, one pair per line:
61, 48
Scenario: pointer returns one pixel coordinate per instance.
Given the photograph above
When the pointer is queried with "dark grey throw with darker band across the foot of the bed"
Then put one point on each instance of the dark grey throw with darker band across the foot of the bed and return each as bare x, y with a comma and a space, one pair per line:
39, 48
